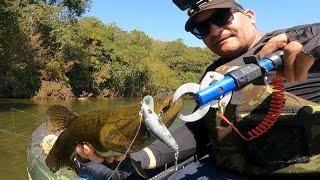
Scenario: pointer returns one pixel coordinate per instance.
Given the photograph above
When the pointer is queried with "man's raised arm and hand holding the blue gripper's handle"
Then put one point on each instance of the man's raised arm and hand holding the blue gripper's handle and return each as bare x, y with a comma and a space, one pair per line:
301, 47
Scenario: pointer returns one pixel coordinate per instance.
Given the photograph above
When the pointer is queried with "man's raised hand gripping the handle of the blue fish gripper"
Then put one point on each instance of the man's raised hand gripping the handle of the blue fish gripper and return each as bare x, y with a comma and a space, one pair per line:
296, 62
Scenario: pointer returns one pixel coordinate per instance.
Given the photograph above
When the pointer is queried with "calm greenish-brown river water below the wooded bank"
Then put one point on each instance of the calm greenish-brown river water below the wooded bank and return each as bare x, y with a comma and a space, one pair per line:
19, 118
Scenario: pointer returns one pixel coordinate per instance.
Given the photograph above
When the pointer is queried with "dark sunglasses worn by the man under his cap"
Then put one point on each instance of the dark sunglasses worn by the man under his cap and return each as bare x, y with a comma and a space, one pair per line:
220, 17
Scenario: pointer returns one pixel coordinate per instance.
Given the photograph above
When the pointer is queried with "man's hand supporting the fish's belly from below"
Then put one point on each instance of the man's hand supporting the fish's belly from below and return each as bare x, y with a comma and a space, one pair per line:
86, 151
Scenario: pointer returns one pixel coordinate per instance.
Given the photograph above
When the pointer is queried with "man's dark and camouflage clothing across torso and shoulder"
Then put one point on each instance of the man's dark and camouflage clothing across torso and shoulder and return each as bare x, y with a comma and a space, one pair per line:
266, 154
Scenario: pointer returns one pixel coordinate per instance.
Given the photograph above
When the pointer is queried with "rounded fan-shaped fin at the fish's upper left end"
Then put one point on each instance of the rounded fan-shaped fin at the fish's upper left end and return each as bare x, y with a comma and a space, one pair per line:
59, 117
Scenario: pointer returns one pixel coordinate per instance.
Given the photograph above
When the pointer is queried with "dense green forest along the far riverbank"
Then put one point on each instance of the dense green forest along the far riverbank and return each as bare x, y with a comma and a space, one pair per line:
49, 50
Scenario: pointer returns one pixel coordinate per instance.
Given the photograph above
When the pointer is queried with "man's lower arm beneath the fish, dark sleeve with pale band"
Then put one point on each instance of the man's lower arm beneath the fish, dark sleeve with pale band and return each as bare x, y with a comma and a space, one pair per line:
155, 155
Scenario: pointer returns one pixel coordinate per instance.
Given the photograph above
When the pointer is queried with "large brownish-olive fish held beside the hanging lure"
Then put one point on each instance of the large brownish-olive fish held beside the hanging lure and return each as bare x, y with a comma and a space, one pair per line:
109, 131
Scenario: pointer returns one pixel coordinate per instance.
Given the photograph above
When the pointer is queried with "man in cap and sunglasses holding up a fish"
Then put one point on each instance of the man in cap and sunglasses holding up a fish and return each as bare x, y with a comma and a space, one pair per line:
229, 30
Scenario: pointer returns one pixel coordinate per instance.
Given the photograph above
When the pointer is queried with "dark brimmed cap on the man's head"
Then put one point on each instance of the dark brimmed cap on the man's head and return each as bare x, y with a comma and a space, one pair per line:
207, 5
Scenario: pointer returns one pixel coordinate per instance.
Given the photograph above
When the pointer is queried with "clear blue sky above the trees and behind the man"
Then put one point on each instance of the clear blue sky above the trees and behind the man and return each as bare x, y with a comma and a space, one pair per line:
162, 20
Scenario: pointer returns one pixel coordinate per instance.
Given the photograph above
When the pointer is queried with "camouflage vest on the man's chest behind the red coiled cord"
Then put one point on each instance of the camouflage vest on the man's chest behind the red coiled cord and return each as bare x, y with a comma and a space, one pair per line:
290, 146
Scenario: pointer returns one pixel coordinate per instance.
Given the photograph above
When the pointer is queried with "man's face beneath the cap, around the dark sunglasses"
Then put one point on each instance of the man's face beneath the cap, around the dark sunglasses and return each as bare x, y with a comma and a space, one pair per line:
232, 39
